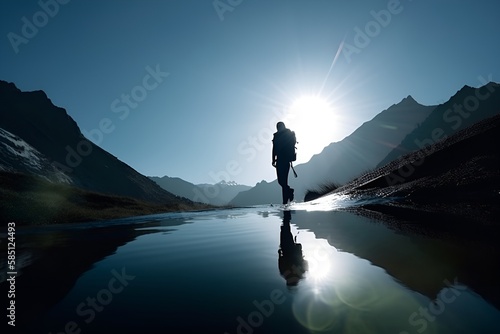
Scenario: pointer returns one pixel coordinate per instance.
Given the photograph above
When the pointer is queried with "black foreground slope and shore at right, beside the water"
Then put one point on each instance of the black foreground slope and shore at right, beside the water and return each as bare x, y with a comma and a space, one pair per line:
457, 179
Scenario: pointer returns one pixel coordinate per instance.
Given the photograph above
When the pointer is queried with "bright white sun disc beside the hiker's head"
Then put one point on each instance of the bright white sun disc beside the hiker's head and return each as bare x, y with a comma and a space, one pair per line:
314, 121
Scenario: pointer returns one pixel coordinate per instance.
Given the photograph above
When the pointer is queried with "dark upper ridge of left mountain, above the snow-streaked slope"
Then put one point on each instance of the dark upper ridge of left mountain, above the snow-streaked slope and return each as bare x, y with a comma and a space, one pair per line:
49, 129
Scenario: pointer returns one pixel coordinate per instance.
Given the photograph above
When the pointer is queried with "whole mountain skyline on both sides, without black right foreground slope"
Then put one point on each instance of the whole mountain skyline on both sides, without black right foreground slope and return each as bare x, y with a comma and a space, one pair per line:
40, 140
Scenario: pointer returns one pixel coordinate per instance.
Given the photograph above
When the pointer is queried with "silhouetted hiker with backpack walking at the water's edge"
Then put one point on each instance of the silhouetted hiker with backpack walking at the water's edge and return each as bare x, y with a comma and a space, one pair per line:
283, 155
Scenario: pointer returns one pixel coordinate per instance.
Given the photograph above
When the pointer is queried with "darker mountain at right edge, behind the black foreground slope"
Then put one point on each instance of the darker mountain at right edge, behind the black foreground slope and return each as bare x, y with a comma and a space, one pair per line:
467, 107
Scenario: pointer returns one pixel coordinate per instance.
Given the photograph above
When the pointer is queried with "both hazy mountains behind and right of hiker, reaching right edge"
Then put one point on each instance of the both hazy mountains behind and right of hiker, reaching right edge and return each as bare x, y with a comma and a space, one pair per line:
402, 128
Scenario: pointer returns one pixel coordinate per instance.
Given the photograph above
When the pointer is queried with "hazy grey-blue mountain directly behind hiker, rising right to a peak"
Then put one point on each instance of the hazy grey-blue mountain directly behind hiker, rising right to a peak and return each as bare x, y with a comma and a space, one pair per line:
342, 161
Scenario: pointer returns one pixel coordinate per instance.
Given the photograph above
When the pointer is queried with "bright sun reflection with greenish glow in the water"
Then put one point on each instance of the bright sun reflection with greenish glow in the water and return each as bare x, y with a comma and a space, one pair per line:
334, 289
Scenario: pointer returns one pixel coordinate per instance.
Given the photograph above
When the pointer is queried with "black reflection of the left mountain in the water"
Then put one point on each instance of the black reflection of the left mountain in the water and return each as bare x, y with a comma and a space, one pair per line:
55, 258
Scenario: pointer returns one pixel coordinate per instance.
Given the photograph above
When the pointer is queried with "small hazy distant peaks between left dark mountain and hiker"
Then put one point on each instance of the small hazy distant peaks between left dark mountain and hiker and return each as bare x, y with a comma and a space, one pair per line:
214, 194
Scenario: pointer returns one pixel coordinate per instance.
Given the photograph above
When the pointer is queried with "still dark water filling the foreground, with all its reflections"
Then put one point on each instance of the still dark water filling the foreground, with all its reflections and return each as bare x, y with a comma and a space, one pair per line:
252, 270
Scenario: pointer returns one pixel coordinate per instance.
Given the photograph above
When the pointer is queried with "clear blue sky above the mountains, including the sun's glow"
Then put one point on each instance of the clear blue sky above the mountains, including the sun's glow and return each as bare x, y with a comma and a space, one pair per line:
223, 74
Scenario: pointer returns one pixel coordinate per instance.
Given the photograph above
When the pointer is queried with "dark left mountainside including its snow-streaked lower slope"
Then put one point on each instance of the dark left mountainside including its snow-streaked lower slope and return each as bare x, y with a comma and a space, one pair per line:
41, 134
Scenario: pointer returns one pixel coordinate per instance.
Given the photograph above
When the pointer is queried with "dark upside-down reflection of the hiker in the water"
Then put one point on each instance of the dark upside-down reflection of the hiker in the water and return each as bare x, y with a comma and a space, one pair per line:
291, 263
